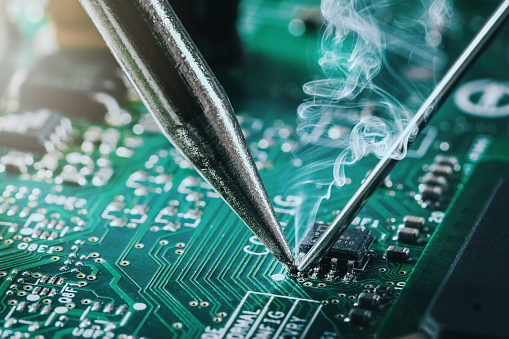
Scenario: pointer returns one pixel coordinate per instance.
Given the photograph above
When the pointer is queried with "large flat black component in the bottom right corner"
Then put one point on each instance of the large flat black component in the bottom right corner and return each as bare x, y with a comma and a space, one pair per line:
472, 299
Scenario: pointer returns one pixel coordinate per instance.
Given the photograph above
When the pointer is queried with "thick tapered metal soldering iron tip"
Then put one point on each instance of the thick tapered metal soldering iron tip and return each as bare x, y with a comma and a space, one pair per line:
189, 105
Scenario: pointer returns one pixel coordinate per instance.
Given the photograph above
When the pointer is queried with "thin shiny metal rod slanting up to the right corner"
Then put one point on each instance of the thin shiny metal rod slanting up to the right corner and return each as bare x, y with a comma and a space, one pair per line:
418, 122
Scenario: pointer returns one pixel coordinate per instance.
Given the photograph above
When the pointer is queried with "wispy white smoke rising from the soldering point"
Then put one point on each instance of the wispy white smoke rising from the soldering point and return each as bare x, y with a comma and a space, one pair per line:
379, 60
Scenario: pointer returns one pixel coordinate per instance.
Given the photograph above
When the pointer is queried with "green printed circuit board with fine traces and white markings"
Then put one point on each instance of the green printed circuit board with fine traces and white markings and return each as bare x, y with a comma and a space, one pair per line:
113, 233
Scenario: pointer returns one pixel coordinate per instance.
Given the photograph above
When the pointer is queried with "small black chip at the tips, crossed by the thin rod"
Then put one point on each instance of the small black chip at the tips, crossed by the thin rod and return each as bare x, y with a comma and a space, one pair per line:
353, 245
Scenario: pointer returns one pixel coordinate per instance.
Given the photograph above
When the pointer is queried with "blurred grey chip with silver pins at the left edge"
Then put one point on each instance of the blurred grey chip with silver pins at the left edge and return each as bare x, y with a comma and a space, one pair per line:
39, 131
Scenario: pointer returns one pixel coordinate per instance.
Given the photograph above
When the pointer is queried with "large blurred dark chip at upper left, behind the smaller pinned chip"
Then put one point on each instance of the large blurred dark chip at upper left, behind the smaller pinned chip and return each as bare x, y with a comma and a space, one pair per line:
65, 82
